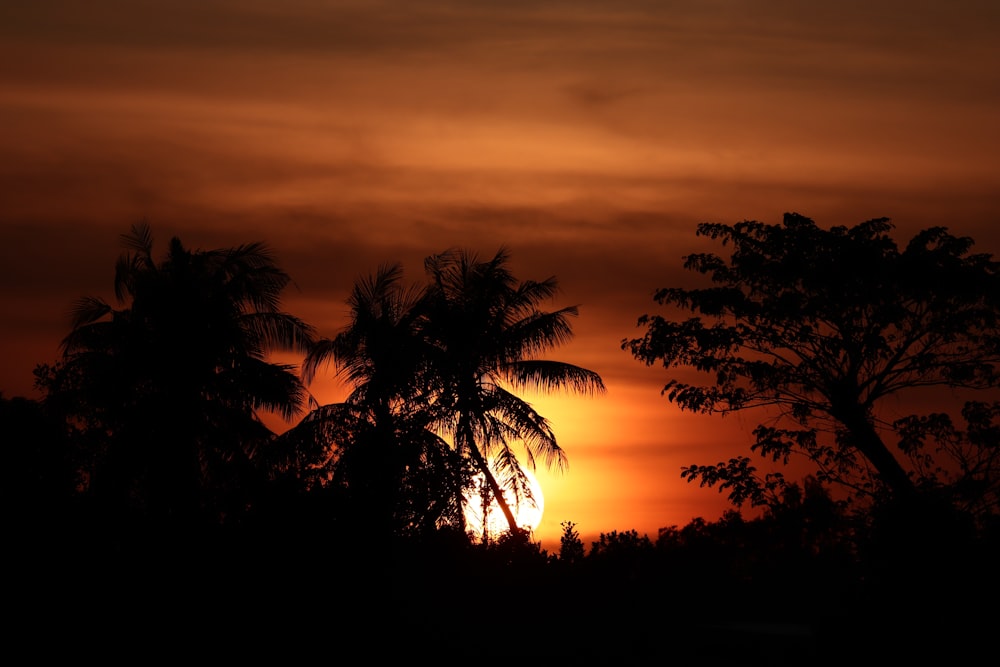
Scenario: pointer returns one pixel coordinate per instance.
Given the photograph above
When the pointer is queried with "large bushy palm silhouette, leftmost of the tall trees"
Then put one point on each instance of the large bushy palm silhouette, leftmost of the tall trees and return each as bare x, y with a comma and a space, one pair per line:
167, 390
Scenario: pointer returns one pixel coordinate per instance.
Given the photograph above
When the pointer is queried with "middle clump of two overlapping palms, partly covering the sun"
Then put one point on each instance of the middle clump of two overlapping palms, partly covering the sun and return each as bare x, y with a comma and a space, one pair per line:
442, 360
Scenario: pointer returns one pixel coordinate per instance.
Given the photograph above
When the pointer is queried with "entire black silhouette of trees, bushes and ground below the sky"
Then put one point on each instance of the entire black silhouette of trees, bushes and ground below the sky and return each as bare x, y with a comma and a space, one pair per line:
144, 487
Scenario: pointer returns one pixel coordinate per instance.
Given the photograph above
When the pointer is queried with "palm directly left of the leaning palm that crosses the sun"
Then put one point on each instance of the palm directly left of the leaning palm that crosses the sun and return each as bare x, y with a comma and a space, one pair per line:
387, 457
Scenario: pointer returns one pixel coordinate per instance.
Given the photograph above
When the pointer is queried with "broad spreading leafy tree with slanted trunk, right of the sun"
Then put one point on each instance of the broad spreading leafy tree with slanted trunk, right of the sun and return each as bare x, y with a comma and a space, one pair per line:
822, 328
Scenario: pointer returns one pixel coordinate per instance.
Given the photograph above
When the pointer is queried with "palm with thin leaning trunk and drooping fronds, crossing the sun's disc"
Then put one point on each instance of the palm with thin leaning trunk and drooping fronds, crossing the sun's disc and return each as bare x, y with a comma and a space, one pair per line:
487, 334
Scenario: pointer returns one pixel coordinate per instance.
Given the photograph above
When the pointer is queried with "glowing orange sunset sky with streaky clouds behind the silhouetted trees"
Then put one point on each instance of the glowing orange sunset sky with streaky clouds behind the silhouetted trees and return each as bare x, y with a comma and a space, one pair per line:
589, 138
